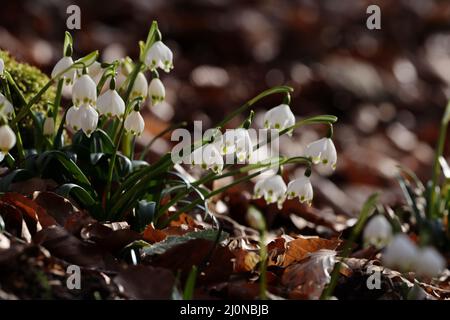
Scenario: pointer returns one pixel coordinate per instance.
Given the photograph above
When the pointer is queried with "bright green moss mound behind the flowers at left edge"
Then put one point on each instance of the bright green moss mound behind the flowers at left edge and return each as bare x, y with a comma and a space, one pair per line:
30, 80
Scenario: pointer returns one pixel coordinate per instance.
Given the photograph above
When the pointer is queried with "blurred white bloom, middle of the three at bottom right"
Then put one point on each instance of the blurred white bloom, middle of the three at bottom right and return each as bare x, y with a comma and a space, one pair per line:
400, 253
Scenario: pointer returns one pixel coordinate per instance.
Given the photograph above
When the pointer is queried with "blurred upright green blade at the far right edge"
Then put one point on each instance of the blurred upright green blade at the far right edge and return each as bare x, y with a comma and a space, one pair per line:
436, 166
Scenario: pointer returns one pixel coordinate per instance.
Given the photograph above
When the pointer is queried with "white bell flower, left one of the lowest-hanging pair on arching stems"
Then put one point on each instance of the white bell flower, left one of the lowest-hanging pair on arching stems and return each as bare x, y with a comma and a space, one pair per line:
273, 189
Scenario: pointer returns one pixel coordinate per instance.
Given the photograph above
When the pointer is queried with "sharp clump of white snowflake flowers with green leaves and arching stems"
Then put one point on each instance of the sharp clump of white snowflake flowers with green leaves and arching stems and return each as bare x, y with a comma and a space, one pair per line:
88, 145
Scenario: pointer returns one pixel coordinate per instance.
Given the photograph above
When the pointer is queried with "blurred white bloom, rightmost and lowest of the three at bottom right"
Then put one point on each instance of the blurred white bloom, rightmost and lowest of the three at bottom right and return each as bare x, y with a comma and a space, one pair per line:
428, 262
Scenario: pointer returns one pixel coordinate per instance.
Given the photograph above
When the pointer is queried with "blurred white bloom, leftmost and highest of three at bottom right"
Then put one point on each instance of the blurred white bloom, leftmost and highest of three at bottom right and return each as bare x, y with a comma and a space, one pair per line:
378, 231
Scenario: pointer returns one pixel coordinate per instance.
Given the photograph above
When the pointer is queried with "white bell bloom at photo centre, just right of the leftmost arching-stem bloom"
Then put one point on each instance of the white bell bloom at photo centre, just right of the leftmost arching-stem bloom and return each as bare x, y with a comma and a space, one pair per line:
236, 141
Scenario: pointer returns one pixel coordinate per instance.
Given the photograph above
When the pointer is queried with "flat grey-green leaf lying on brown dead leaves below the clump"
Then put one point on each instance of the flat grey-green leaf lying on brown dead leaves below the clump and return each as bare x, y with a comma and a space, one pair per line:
173, 241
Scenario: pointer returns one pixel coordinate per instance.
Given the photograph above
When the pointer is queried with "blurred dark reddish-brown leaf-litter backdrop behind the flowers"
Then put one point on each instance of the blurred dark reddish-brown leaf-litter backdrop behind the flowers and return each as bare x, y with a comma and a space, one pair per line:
388, 87
